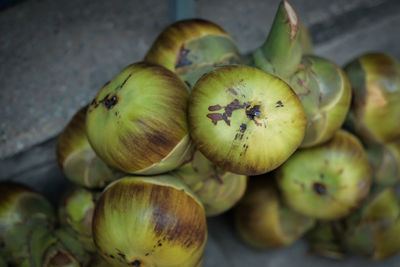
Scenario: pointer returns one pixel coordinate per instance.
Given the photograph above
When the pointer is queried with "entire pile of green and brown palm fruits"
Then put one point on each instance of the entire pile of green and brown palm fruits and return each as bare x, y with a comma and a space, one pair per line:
292, 144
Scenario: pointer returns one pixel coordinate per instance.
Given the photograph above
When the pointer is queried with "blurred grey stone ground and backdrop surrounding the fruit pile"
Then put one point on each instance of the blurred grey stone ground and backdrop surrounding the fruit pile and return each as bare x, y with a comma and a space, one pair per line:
55, 55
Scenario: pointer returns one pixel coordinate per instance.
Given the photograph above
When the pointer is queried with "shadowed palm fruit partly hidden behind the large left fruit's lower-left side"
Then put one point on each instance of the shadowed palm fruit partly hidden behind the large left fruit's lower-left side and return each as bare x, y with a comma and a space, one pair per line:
77, 159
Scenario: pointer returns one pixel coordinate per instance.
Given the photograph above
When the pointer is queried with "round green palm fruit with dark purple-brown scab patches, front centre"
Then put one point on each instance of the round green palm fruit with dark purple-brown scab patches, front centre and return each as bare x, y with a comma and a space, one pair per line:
244, 120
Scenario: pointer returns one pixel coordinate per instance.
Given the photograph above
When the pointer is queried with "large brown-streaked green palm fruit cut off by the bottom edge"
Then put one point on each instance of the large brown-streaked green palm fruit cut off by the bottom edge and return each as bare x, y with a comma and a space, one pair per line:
150, 221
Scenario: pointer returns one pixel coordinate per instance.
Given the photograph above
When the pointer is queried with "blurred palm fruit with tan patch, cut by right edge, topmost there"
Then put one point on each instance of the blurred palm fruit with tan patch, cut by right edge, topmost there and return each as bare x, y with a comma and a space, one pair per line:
375, 111
